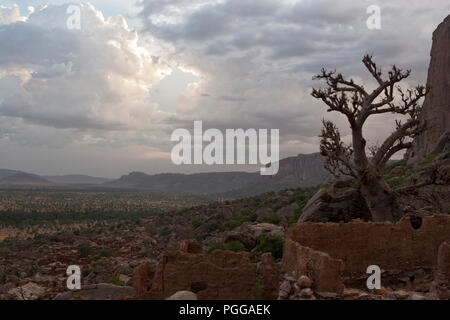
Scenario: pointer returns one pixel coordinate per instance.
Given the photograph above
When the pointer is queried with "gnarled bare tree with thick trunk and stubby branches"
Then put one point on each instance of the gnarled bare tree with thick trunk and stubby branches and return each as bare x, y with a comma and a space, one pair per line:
357, 104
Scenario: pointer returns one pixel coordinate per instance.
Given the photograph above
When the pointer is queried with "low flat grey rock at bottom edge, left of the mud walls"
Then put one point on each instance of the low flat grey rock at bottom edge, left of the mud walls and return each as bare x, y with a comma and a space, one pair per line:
102, 291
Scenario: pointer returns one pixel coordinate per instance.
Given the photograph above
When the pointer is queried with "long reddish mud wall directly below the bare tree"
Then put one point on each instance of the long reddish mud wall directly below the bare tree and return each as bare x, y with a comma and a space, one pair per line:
360, 244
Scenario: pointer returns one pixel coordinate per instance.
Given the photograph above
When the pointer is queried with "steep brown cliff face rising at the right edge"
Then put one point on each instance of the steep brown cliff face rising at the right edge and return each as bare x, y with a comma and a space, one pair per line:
437, 102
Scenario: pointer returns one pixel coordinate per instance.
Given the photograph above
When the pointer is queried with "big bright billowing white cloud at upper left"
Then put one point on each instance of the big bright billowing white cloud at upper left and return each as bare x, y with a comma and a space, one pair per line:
94, 78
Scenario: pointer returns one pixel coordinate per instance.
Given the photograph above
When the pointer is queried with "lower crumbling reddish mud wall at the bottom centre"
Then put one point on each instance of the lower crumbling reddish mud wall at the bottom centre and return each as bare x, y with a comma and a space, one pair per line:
220, 275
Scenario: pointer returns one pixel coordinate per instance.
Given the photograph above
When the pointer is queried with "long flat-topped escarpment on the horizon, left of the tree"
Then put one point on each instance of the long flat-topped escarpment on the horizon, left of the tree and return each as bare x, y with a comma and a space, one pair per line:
300, 171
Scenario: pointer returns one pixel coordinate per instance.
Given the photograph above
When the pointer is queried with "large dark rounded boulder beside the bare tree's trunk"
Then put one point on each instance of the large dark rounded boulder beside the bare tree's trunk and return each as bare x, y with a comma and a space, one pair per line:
340, 202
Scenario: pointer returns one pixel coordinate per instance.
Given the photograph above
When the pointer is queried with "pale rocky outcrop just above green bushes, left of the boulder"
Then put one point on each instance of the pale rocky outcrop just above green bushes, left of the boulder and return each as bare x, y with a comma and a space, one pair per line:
248, 233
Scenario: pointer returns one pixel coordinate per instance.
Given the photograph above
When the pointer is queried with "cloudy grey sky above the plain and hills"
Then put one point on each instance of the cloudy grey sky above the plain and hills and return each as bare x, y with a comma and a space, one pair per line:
104, 100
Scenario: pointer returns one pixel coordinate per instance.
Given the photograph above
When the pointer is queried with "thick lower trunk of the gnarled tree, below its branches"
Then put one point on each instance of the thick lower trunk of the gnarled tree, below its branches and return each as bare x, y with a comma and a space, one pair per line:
379, 197
